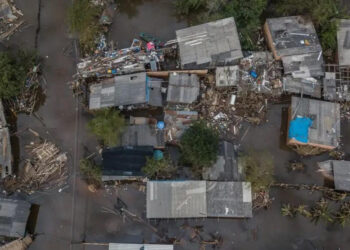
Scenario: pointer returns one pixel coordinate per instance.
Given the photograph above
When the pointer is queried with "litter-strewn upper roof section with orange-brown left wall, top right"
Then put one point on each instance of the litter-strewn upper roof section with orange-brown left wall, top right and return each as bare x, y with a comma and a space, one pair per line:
290, 33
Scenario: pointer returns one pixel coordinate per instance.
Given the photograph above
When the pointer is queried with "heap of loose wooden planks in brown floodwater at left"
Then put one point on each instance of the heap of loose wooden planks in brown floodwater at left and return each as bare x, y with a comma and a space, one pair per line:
46, 169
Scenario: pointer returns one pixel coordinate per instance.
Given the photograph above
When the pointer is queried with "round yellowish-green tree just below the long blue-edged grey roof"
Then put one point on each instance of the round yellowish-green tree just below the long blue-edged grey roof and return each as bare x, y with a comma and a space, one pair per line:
107, 125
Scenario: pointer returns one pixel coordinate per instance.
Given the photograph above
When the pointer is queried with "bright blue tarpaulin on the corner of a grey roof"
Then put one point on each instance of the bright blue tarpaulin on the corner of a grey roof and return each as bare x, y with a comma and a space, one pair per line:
299, 129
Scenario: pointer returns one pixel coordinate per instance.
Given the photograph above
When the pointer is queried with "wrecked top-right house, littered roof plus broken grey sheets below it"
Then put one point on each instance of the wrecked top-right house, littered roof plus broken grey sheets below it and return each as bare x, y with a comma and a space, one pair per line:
294, 41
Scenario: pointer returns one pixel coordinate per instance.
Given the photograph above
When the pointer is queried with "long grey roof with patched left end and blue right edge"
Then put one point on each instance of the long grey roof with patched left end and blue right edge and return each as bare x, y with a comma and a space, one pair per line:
119, 91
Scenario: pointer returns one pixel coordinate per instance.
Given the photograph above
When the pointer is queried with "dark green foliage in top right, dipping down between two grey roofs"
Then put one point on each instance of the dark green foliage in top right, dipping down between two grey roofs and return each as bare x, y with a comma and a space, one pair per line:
325, 15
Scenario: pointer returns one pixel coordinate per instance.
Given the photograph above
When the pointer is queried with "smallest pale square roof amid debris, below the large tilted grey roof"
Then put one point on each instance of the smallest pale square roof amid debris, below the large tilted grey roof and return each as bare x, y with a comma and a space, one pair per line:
227, 76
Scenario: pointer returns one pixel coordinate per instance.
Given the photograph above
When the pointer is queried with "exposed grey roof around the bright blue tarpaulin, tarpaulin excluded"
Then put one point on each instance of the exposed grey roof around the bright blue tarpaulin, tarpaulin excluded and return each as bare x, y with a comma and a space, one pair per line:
325, 129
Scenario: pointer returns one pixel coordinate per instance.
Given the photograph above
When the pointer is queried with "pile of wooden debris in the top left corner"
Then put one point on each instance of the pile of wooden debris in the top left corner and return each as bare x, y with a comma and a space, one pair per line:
10, 18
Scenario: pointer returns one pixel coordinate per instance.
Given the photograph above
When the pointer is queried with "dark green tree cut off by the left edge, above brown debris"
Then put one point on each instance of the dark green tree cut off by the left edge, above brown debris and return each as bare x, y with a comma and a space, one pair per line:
14, 69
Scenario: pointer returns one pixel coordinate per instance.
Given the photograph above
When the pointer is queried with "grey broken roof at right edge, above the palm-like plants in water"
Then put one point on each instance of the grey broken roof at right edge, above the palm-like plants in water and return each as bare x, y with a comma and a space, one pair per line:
338, 171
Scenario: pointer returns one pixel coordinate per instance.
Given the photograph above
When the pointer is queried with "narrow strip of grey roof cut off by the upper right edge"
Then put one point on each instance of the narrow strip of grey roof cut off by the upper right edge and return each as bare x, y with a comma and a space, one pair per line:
343, 37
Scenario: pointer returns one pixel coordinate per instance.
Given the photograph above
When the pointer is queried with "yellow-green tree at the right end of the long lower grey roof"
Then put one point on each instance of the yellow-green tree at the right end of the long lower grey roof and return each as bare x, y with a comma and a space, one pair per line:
258, 167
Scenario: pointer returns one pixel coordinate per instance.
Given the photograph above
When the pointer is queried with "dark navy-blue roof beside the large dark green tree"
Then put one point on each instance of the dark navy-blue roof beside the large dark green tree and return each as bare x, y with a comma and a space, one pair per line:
121, 163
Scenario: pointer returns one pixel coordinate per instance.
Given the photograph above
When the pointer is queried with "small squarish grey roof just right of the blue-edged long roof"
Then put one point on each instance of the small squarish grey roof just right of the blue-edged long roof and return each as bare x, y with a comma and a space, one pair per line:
183, 88
